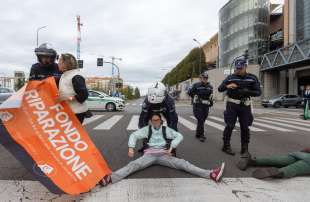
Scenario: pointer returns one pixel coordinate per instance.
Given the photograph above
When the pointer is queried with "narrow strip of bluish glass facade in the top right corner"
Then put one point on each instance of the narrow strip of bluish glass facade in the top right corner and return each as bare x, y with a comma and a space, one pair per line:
302, 20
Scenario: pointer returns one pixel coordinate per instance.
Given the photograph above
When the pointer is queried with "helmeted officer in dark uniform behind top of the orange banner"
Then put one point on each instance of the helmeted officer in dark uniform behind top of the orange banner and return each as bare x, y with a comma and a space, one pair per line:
46, 65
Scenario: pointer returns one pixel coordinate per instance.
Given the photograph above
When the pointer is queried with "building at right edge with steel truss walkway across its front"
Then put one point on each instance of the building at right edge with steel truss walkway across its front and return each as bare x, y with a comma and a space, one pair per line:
286, 70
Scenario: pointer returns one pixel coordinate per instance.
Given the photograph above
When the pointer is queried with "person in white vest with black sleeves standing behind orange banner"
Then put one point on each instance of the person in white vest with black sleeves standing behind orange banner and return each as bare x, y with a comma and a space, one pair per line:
72, 86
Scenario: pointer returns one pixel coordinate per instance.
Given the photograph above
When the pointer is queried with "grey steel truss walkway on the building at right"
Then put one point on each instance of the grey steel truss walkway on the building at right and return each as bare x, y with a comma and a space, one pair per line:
295, 53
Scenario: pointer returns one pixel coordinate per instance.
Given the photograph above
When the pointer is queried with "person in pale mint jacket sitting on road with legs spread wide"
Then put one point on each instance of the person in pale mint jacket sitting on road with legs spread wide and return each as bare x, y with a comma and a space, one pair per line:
158, 152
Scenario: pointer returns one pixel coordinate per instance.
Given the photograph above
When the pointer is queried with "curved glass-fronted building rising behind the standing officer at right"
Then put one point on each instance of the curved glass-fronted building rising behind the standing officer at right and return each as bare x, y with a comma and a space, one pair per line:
244, 25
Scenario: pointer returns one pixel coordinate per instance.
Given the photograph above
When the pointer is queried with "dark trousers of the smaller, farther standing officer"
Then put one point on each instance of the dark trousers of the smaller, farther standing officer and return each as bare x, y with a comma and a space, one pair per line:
201, 112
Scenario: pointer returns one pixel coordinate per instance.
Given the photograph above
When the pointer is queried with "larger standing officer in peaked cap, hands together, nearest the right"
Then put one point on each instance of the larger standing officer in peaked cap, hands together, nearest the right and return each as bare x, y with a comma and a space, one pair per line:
239, 88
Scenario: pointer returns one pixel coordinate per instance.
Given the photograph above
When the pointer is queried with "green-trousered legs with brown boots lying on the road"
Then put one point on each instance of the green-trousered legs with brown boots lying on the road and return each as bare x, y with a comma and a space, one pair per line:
287, 166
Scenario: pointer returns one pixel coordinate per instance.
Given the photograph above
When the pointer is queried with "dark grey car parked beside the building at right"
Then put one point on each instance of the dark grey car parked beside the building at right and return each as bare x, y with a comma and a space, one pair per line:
283, 100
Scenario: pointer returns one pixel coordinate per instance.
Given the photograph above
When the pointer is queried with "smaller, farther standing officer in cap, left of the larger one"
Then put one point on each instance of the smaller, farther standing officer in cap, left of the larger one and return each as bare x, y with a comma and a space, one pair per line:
202, 98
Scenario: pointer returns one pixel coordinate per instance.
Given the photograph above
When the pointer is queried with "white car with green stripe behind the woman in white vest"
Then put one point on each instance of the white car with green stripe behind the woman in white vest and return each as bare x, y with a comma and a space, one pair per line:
100, 101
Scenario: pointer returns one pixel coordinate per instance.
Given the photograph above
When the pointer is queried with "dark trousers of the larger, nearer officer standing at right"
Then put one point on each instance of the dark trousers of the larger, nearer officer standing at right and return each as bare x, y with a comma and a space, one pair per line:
244, 114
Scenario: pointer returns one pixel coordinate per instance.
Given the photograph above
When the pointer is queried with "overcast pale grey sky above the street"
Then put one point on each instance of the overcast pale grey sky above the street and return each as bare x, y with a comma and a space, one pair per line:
147, 34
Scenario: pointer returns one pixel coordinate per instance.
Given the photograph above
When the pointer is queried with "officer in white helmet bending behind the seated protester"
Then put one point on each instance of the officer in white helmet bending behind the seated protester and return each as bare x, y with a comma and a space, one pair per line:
158, 101
